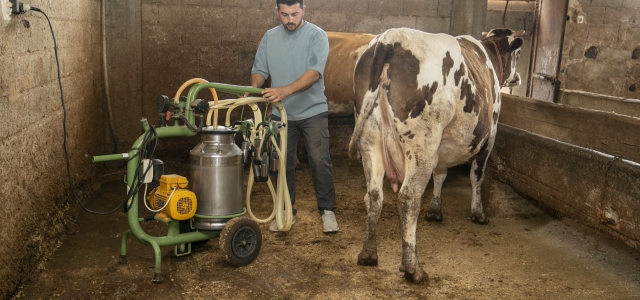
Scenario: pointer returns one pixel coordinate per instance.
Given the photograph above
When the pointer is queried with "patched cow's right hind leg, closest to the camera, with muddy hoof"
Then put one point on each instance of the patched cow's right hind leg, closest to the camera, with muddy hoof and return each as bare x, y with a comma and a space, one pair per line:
409, 200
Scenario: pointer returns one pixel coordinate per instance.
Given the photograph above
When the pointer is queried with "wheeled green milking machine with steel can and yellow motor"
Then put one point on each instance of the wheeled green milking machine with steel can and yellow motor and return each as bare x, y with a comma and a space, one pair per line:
209, 203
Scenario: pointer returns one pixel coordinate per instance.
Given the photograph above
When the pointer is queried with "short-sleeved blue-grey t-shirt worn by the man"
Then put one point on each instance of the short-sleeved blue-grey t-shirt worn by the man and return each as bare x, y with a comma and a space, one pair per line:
286, 56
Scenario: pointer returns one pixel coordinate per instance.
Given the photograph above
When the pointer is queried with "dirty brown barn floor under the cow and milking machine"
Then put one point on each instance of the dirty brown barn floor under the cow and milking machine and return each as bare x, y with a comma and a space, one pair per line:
529, 256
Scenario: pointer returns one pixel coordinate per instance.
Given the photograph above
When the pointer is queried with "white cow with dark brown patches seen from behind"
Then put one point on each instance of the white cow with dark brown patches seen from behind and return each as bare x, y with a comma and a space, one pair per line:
424, 103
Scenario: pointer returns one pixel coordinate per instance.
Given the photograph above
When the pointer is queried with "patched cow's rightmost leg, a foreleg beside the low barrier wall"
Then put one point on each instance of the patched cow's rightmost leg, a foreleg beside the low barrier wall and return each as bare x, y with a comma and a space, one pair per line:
477, 175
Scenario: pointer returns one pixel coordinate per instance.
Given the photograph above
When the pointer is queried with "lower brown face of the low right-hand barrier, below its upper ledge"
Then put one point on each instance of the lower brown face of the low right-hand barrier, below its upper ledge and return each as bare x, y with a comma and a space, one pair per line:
594, 188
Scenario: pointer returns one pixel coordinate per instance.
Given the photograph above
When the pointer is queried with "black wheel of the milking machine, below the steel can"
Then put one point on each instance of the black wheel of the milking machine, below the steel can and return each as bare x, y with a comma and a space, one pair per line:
240, 240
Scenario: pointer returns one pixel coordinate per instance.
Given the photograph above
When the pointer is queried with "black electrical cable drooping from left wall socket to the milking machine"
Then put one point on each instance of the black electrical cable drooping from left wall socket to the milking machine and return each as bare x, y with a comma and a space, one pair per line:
148, 134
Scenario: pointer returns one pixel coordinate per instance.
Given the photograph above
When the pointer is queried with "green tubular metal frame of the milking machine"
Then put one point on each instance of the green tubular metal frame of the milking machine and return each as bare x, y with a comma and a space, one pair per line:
173, 237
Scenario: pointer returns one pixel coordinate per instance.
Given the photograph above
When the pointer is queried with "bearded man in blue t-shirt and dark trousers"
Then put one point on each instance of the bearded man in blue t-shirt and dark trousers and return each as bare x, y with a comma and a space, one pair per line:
294, 54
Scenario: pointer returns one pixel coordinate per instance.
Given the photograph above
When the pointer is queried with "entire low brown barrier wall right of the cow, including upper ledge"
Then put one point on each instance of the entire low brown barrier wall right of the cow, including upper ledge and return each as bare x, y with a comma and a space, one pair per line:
572, 162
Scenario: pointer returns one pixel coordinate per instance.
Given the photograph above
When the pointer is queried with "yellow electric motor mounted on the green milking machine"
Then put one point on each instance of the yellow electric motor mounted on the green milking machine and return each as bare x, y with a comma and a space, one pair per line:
171, 200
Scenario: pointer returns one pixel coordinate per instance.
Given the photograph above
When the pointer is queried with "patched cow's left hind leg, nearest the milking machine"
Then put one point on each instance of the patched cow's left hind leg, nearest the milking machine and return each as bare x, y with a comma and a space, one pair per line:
374, 174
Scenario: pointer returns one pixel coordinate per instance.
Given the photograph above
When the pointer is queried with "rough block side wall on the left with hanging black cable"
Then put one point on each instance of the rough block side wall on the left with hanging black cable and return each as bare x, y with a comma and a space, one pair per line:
36, 208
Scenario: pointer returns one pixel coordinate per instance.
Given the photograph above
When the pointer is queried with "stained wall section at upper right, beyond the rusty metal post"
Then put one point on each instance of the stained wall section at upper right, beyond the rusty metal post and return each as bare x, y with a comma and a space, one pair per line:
602, 54
